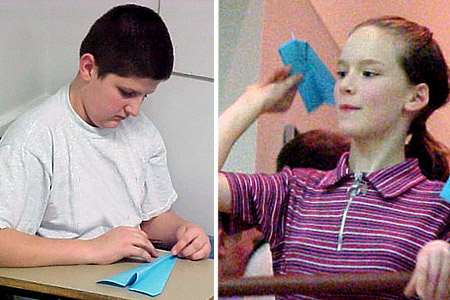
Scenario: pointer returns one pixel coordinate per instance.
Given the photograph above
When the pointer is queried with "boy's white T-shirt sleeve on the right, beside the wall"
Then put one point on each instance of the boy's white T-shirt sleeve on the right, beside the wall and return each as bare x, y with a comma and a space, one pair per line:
160, 193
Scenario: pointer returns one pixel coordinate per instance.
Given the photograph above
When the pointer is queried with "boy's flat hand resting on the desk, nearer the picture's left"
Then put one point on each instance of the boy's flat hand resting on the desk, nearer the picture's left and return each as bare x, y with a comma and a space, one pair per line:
120, 243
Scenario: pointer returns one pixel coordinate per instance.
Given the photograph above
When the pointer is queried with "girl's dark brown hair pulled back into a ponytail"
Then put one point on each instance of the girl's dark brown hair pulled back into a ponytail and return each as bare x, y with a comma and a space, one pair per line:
423, 62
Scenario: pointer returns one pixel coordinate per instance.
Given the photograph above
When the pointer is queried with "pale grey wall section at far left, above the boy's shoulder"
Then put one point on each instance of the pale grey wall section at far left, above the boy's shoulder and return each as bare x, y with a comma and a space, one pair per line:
22, 56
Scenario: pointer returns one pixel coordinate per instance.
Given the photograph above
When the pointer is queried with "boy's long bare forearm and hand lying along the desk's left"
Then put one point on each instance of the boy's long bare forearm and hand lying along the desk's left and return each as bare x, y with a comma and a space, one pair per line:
18, 249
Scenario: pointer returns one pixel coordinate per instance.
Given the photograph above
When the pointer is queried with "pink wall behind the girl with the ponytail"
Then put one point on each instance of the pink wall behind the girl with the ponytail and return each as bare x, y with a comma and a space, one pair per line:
325, 24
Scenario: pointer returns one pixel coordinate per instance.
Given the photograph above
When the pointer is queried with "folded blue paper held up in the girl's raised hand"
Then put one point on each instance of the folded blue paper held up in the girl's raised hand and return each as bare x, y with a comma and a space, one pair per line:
317, 85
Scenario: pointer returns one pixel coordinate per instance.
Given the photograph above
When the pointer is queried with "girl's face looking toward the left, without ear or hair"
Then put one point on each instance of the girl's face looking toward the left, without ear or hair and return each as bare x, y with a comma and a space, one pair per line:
372, 87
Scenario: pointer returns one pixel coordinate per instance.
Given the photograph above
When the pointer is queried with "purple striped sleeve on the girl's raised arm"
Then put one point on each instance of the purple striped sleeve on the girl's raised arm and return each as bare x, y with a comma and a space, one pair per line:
260, 200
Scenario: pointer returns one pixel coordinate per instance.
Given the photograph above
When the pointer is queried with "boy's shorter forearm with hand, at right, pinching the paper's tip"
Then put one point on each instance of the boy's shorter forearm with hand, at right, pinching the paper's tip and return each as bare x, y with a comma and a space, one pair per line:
186, 239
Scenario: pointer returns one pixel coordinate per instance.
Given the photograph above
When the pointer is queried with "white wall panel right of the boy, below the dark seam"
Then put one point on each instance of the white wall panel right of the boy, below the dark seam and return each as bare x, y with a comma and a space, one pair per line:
183, 111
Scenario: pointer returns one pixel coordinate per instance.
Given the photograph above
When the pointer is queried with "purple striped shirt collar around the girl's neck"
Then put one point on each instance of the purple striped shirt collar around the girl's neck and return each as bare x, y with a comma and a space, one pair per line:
390, 181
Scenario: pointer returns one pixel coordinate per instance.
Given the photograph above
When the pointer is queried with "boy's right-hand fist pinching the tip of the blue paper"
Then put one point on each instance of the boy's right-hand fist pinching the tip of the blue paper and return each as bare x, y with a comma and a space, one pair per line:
192, 242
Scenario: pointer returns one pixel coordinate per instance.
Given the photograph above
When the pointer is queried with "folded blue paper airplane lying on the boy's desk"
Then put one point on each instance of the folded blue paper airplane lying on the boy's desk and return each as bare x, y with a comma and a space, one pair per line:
149, 278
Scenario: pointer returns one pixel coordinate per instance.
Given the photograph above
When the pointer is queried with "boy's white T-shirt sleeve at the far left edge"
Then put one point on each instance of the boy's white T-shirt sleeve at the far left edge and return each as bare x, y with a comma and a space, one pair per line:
24, 189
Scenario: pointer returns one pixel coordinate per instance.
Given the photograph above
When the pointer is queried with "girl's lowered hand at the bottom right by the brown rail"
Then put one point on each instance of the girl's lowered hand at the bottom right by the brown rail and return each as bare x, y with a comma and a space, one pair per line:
431, 277
